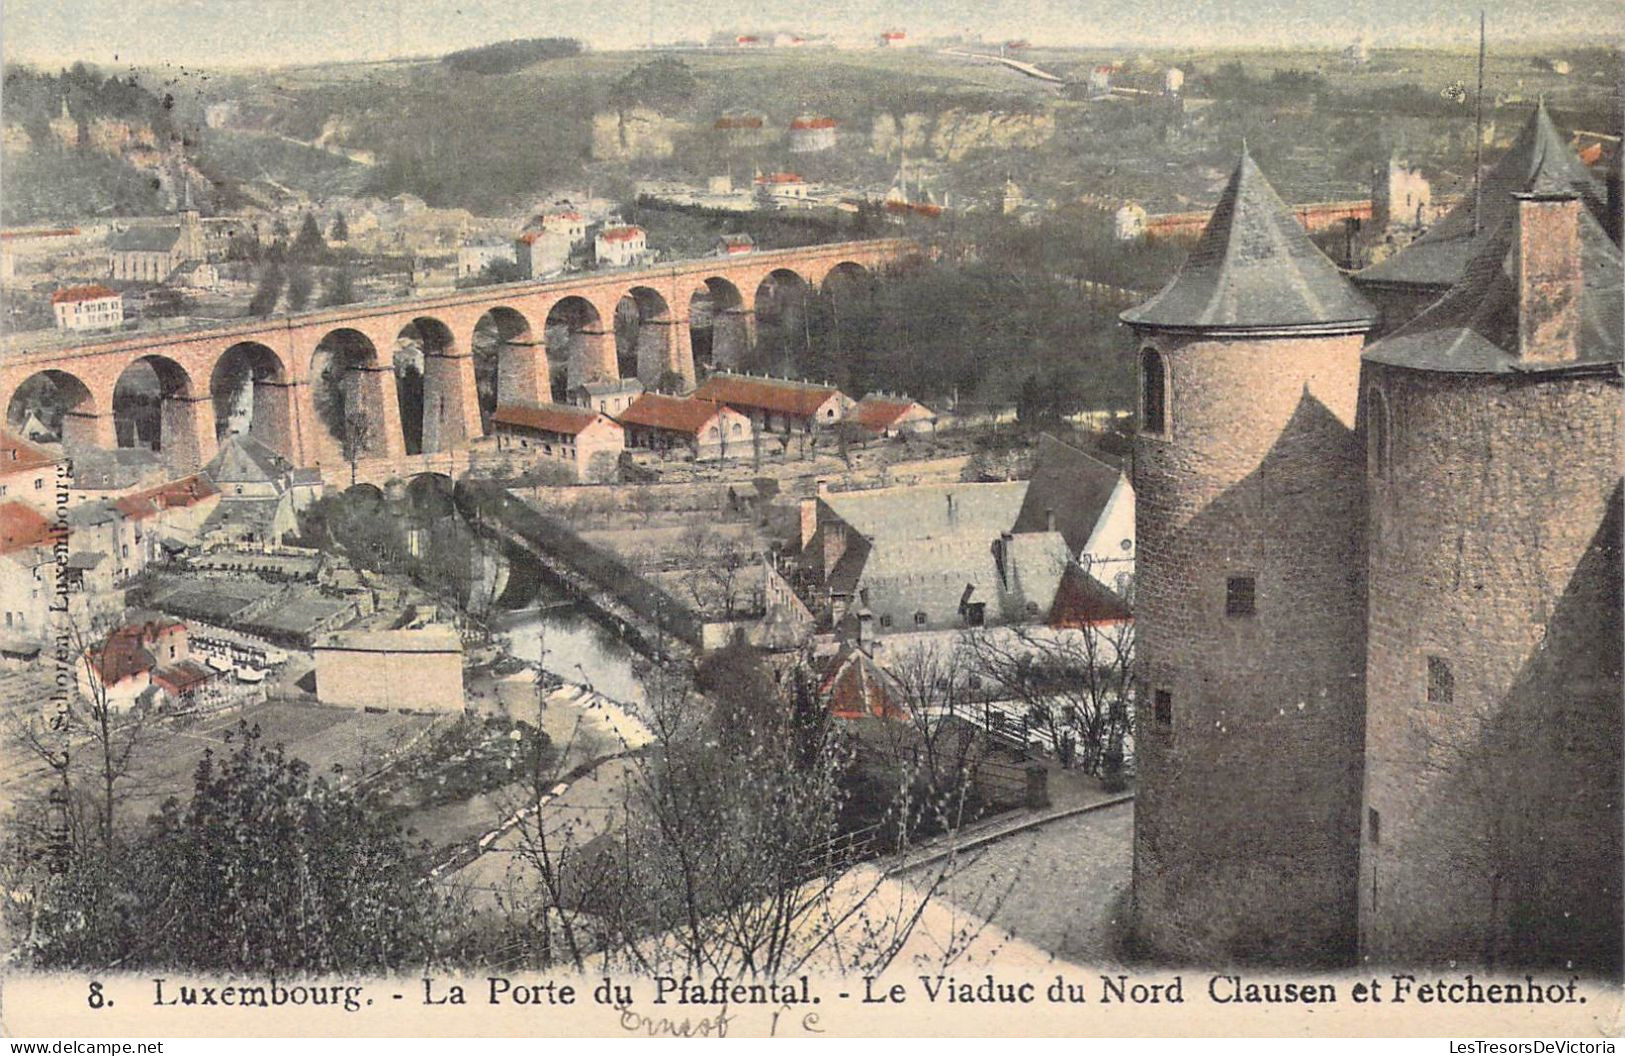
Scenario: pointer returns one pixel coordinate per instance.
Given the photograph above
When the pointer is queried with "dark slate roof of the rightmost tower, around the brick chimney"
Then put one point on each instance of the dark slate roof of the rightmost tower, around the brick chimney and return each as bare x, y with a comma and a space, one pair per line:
1475, 327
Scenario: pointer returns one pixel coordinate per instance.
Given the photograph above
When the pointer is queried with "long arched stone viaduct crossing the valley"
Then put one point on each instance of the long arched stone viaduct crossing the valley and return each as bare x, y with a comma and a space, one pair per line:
290, 358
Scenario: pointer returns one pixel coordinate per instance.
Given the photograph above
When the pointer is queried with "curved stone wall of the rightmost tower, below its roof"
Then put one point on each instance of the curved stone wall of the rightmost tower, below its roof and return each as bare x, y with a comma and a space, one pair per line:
1496, 792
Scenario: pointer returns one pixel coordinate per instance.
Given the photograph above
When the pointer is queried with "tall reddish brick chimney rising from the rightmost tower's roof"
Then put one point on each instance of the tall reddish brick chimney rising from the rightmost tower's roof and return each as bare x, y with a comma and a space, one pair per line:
1546, 258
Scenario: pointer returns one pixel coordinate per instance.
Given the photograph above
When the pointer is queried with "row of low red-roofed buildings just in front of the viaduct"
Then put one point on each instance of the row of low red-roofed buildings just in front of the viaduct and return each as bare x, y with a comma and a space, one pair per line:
729, 417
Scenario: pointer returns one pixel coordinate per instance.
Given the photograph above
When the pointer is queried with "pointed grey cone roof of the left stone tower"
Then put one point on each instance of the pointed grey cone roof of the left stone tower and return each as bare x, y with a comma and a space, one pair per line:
1255, 270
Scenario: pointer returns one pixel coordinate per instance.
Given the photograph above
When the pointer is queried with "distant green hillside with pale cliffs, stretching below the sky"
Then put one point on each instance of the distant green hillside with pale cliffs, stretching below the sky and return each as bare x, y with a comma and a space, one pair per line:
493, 129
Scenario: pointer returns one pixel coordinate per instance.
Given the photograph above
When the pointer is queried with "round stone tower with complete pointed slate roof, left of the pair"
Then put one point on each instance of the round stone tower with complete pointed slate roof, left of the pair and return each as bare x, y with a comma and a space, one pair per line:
1249, 480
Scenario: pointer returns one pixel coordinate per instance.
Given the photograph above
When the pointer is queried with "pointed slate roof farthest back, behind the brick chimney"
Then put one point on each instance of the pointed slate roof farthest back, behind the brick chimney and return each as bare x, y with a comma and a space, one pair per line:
1441, 258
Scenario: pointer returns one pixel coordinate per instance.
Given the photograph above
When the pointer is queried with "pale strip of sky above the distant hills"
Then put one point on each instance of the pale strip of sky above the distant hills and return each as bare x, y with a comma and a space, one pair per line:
253, 33
